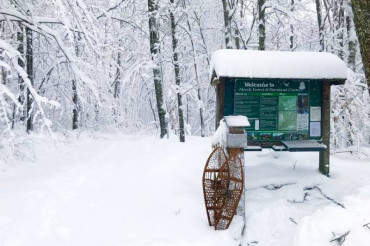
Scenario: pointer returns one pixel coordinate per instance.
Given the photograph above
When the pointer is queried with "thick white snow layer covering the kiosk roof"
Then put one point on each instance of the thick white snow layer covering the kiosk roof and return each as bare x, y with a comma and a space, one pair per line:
277, 65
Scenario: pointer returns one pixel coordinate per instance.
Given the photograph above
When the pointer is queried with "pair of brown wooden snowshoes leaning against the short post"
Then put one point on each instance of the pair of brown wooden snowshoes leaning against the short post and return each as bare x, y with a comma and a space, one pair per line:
223, 183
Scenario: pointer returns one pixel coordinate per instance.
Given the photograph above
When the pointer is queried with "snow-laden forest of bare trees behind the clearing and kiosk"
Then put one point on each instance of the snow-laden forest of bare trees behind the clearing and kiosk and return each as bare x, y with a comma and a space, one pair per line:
142, 66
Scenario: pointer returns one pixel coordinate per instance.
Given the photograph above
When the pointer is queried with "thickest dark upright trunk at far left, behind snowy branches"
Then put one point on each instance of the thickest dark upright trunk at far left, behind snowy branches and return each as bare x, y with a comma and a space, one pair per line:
29, 60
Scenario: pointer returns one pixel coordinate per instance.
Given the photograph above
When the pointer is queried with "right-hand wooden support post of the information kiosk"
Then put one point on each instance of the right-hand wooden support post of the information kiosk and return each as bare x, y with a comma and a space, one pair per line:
325, 128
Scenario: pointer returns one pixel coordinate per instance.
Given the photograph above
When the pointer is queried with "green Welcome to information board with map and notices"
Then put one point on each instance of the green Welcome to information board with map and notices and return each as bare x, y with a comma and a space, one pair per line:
277, 109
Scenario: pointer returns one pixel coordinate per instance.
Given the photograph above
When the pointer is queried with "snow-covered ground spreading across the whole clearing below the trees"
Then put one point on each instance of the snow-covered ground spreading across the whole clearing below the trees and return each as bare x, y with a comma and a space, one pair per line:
135, 190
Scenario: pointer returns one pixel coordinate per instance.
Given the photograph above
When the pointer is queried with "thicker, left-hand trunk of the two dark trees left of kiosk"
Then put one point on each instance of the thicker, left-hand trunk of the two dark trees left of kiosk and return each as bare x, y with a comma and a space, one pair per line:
154, 42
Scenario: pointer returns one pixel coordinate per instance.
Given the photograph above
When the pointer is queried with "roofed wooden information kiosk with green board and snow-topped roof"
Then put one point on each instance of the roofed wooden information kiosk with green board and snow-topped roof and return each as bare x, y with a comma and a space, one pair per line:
285, 95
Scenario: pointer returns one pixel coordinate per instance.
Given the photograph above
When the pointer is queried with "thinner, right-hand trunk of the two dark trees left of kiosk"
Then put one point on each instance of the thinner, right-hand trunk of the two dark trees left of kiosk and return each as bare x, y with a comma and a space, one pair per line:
177, 74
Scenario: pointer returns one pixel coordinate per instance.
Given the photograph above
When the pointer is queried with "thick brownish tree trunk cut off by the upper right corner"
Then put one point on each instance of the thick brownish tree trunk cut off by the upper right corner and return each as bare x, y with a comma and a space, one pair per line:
361, 11
